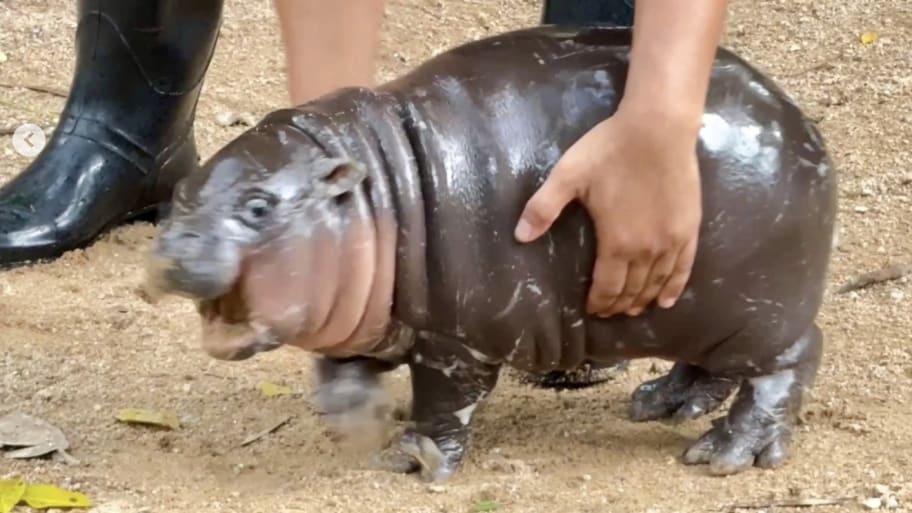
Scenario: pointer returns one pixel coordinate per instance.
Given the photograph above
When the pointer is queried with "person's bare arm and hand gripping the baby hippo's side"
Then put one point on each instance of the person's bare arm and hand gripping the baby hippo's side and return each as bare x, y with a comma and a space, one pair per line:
636, 172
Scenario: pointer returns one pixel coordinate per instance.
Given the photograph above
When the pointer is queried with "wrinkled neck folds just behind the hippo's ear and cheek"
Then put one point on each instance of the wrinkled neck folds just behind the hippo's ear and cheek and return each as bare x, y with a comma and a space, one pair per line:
367, 126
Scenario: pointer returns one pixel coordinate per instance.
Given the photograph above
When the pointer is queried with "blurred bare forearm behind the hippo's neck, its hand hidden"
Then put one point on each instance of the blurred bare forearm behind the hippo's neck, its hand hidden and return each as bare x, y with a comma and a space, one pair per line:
329, 45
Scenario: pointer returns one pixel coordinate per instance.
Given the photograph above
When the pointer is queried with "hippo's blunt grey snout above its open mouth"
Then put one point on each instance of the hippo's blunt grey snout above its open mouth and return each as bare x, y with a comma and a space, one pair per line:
188, 263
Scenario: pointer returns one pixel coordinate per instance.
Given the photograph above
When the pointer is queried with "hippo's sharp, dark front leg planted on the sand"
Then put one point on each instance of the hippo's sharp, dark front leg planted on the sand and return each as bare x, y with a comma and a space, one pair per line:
448, 383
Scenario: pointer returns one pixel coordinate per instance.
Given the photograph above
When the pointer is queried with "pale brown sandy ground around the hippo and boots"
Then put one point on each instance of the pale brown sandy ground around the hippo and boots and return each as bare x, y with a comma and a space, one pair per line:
77, 344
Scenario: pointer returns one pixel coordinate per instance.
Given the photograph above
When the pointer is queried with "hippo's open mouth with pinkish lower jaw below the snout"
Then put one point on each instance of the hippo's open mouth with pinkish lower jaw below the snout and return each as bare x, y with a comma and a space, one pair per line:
228, 331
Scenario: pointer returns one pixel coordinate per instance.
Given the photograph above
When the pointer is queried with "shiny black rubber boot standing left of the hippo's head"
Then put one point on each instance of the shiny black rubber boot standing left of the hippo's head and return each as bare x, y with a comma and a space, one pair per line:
125, 135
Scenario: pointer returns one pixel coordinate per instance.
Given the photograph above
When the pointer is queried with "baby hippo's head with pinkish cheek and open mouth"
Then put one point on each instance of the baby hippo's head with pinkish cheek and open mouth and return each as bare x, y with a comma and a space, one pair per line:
271, 239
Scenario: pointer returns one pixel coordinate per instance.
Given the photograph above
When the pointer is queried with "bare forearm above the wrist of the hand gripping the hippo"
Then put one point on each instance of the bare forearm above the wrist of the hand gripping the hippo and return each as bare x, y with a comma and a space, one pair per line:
674, 45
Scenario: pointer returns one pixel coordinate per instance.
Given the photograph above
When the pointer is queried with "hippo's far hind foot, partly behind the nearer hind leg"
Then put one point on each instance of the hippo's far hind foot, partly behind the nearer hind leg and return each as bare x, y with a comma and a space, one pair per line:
685, 393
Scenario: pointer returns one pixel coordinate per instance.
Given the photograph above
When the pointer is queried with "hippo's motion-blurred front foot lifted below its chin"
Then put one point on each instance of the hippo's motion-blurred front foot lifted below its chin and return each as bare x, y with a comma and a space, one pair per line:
350, 398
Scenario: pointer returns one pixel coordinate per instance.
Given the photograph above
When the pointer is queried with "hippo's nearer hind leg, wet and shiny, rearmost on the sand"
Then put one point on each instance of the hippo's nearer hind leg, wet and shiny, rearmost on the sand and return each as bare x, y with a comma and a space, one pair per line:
758, 428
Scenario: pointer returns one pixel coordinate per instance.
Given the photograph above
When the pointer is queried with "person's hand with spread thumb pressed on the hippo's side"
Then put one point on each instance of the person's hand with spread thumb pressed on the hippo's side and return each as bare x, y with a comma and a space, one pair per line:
637, 175
